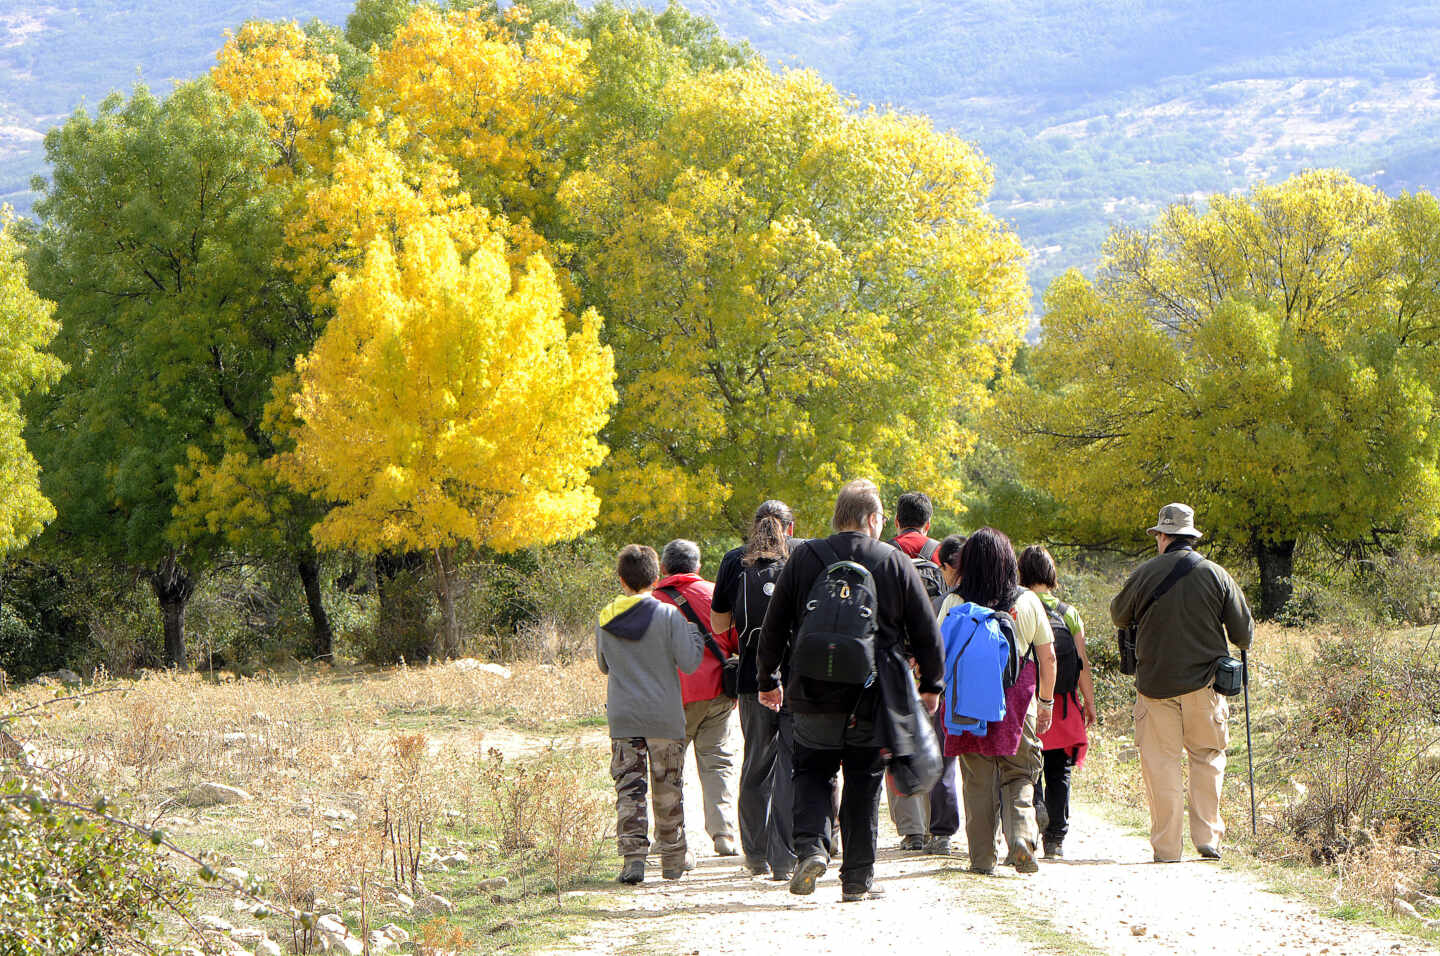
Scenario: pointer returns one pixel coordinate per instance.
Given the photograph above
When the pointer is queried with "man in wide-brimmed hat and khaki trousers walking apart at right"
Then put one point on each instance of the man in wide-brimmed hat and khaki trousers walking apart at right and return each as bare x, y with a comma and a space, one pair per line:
1184, 608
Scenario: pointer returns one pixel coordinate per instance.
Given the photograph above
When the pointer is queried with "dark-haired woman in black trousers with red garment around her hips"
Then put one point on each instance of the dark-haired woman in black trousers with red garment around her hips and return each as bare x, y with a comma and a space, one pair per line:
1066, 742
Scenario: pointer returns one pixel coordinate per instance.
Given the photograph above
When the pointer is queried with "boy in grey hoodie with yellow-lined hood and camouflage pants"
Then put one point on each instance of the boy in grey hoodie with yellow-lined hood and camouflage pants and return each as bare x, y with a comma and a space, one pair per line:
642, 643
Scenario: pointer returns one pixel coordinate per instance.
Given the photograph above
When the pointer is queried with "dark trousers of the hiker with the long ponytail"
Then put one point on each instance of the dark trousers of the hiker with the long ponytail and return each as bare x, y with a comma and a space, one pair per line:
765, 787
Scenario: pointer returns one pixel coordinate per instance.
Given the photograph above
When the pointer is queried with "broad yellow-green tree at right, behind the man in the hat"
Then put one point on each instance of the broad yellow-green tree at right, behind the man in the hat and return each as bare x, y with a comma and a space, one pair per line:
1269, 359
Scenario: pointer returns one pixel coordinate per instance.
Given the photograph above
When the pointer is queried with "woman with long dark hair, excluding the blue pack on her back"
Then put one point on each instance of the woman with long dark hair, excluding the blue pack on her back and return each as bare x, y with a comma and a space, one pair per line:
1000, 770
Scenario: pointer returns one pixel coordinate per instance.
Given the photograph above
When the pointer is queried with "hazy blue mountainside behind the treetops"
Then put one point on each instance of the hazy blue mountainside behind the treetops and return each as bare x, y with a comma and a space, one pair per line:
1092, 112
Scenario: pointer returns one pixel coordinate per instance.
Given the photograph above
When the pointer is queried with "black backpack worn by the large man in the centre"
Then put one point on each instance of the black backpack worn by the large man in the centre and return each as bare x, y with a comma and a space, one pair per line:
837, 636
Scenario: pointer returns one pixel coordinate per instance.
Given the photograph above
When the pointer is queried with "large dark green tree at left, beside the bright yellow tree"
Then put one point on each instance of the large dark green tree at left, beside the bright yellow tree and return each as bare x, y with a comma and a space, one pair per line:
161, 245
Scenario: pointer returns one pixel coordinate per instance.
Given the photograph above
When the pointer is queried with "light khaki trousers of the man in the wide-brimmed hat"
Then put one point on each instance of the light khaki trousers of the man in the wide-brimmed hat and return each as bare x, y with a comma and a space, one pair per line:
1194, 725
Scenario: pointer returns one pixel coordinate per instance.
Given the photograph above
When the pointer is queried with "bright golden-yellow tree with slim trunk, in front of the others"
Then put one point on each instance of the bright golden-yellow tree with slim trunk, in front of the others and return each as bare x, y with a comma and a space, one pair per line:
449, 404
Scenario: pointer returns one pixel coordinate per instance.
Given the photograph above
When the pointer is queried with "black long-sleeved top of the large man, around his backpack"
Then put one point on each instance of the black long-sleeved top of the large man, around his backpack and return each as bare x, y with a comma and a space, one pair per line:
905, 618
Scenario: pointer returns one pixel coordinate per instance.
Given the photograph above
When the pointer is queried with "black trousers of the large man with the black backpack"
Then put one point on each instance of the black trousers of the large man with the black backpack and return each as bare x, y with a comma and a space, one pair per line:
859, 806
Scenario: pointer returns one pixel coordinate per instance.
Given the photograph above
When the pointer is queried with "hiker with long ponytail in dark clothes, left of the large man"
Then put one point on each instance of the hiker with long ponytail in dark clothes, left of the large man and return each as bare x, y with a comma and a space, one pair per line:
742, 595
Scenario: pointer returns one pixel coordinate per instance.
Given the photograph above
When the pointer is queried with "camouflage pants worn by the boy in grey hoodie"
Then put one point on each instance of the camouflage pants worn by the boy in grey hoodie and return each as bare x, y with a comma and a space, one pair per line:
667, 761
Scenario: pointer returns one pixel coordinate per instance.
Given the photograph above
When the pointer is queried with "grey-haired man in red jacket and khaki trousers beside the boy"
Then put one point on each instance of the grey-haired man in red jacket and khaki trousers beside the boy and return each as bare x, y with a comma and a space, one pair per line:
709, 713
